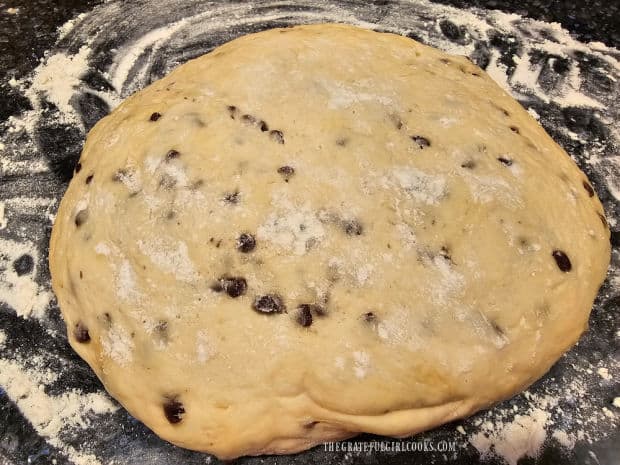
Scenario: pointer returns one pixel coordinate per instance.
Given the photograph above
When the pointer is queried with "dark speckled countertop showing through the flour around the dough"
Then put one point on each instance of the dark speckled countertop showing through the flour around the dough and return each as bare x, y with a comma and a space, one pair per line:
24, 39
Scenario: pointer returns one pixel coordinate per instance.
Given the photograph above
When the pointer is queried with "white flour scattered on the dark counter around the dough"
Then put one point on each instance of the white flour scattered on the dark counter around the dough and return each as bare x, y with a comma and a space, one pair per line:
167, 34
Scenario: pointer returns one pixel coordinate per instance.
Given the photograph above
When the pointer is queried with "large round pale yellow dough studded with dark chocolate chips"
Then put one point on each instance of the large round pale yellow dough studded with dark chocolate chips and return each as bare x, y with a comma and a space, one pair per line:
422, 193
